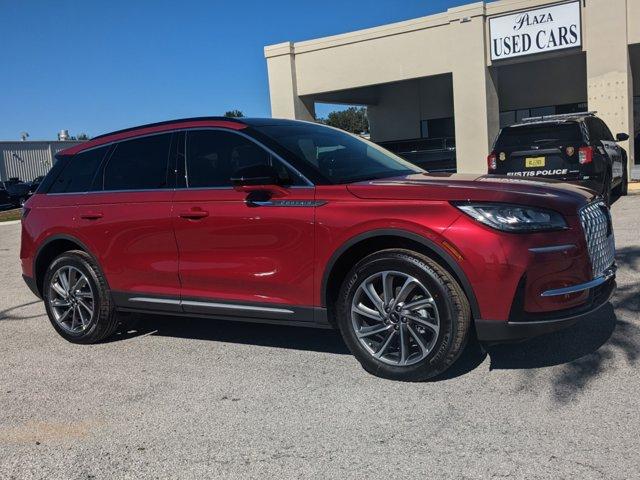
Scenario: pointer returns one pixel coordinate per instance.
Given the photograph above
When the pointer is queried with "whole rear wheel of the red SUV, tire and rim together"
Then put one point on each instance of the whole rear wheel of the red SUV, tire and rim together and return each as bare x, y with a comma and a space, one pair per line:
89, 323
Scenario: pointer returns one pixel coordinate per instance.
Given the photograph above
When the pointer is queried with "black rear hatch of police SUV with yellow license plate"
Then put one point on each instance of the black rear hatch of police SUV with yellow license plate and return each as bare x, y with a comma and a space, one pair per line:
548, 150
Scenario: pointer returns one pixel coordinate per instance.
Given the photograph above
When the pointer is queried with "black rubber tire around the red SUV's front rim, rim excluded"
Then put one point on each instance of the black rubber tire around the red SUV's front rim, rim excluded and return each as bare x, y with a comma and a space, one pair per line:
446, 311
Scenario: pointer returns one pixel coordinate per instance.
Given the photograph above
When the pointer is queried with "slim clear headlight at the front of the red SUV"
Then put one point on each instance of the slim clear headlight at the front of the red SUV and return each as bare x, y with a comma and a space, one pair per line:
514, 218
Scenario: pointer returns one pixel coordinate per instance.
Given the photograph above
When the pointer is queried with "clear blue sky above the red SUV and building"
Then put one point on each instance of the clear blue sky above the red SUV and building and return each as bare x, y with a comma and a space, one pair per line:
98, 66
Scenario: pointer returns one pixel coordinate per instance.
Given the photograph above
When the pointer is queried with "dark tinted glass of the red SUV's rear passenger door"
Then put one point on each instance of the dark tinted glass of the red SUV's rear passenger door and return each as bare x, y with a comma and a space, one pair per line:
139, 164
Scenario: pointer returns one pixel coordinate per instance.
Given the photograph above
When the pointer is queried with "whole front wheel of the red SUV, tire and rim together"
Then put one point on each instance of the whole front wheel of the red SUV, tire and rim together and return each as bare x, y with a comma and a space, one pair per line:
380, 353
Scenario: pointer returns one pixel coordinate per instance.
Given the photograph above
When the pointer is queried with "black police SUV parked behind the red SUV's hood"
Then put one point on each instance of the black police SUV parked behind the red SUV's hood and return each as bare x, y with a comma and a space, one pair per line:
575, 147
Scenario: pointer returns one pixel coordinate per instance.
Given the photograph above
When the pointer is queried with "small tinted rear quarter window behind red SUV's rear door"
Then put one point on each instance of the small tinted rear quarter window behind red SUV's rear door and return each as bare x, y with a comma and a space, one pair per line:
78, 174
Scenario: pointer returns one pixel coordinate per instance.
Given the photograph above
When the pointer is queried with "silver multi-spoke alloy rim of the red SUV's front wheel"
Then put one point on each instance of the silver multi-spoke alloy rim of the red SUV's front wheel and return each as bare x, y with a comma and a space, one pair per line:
395, 318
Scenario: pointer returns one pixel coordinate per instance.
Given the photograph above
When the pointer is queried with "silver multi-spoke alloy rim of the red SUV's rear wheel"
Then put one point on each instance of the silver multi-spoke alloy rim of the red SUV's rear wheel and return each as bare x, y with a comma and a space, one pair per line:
71, 299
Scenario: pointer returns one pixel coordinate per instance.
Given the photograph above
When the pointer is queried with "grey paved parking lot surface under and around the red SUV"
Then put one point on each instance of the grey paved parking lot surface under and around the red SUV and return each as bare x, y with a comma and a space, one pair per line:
193, 398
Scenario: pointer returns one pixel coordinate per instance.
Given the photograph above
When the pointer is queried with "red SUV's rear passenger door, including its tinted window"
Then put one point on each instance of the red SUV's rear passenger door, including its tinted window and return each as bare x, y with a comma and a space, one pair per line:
127, 221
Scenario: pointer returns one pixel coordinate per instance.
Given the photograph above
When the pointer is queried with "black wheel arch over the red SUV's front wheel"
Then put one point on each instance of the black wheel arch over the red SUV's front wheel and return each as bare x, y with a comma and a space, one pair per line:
359, 246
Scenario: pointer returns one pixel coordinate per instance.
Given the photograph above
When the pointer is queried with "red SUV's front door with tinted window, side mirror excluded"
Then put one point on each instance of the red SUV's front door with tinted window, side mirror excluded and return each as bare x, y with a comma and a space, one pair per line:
240, 258
